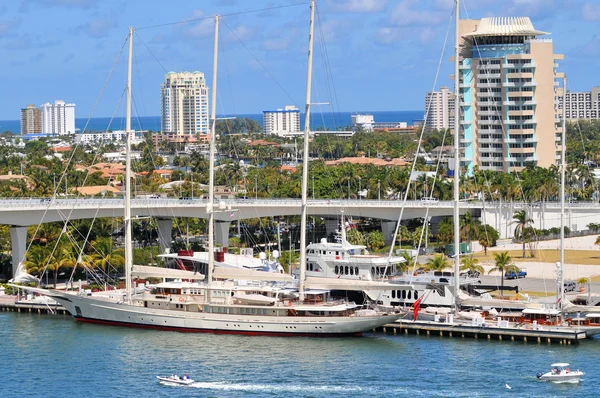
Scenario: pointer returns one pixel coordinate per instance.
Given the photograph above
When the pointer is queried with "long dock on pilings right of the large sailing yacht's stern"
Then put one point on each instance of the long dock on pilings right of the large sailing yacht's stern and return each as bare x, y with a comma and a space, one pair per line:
522, 332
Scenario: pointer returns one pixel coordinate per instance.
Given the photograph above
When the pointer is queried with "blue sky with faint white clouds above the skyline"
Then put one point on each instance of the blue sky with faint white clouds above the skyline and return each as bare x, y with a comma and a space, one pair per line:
370, 55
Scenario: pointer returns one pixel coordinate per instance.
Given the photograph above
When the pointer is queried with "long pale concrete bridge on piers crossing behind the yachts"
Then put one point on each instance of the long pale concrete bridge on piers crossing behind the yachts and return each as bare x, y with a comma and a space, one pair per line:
23, 212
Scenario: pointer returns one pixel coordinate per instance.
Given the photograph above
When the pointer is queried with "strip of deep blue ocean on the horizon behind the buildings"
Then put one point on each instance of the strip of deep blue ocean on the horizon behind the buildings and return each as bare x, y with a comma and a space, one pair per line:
327, 121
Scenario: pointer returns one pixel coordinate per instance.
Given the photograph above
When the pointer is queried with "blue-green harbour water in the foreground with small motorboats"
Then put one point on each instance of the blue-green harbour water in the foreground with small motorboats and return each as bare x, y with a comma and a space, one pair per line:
54, 356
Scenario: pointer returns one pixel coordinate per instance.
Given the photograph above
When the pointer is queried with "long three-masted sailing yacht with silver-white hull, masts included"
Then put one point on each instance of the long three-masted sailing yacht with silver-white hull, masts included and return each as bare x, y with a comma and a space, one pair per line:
250, 308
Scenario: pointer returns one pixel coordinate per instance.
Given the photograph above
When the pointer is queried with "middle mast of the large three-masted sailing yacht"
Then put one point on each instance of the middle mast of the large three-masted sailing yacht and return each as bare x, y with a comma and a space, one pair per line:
211, 178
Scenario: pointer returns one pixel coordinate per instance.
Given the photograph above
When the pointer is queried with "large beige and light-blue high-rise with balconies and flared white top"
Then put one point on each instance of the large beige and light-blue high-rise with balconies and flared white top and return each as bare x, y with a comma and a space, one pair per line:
508, 95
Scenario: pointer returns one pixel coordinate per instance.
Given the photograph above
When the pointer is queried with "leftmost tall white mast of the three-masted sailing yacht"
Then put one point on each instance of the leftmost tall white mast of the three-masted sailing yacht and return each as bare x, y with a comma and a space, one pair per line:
127, 218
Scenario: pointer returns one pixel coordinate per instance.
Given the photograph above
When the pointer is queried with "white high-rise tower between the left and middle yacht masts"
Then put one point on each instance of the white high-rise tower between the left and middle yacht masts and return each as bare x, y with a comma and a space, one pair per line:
184, 105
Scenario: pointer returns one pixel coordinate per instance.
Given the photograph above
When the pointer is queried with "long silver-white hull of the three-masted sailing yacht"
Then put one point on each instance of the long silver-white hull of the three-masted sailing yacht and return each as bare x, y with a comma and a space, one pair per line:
92, 310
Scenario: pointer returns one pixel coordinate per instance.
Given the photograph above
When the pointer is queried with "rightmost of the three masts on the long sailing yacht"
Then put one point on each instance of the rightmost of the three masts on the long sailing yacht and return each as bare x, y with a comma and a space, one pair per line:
305, 154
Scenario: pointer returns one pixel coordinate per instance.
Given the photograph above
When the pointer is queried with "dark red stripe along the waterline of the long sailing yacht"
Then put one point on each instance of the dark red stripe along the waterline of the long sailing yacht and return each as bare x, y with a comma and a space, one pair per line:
214, 331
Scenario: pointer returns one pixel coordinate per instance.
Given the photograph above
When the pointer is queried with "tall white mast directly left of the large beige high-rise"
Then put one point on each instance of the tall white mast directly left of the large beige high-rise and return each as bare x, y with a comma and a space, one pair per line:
456, 157
